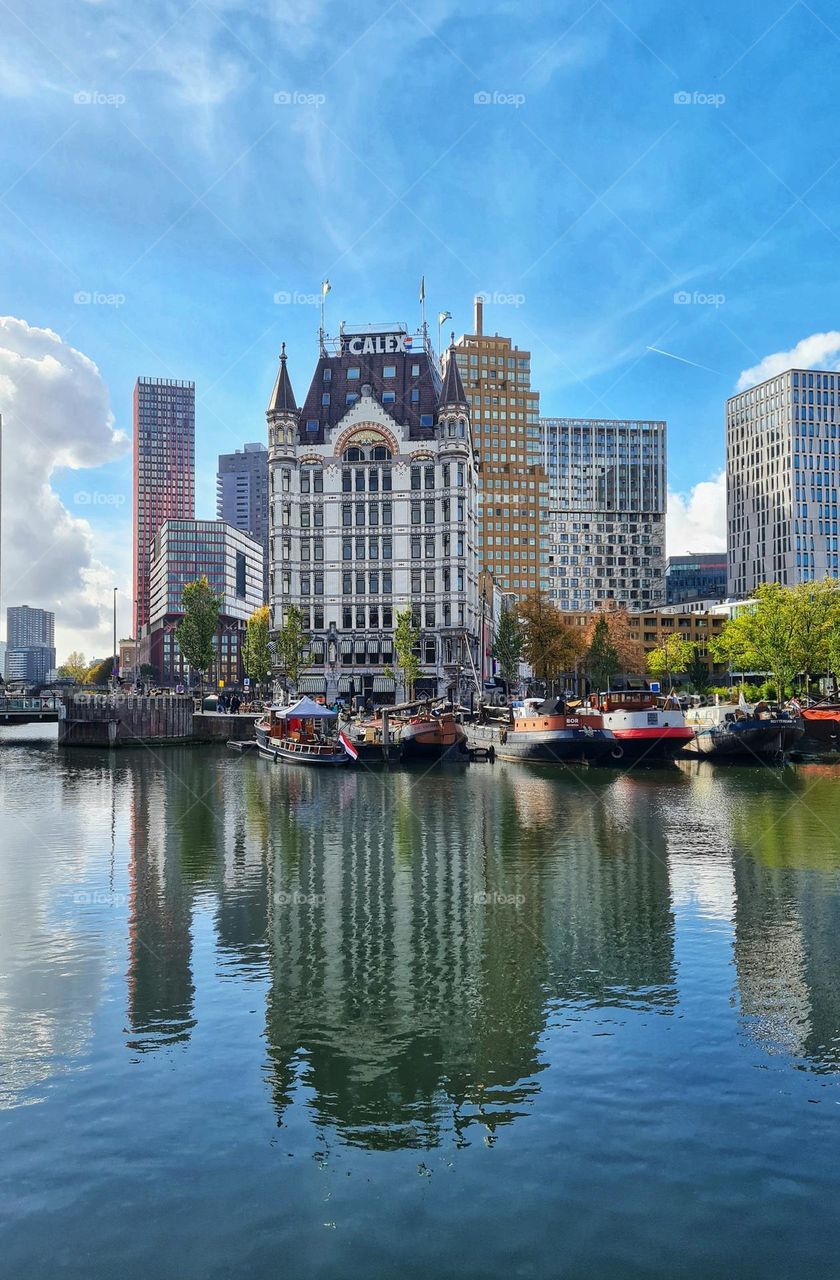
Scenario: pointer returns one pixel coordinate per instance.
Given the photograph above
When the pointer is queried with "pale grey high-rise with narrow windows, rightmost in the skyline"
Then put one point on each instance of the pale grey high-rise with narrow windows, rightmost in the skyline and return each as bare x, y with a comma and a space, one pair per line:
782, 481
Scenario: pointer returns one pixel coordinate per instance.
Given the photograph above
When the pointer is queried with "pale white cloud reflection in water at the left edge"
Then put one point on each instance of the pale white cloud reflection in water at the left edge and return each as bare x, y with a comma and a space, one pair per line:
53, 962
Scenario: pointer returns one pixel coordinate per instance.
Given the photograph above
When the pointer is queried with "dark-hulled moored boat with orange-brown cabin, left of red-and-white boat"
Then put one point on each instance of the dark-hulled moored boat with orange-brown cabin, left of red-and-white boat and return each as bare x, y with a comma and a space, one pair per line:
546, 732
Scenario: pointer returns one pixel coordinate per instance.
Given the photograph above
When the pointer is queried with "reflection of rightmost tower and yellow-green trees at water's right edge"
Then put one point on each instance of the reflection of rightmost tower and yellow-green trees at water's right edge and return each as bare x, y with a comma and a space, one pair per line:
788, 921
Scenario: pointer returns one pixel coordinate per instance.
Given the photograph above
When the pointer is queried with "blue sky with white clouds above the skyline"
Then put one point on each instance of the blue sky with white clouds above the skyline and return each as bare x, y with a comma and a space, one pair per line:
646, 193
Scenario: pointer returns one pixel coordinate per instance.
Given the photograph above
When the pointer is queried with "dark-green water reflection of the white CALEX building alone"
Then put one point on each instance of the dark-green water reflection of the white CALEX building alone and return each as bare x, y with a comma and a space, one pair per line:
400, 994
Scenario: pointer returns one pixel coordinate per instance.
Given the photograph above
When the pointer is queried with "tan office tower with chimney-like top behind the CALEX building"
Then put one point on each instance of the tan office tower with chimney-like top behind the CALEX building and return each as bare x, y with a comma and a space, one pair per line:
505, 415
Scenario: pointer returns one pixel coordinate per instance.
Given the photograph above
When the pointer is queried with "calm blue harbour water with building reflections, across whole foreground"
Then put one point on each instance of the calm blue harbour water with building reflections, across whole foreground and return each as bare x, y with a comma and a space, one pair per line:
476, 1022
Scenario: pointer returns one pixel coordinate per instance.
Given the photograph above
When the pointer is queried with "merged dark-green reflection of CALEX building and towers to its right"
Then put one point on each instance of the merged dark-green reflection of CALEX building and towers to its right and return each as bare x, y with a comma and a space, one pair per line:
418, 930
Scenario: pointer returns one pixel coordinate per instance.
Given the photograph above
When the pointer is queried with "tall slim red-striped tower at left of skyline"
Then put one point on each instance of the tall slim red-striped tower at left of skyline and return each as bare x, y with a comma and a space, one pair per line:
165, 470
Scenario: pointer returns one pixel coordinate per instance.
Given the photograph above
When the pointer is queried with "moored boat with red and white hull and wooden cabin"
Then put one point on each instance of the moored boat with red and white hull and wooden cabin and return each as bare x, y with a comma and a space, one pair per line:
647, 733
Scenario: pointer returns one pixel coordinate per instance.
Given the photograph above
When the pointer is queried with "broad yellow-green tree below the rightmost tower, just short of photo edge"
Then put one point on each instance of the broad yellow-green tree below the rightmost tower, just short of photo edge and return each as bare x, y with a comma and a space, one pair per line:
763, 637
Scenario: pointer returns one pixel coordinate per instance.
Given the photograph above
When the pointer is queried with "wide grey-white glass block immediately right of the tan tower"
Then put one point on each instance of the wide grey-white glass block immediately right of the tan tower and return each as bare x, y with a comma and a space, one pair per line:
609, 499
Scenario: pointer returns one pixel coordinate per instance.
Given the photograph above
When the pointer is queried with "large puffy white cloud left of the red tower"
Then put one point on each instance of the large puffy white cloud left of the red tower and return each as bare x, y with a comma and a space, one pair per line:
56, 414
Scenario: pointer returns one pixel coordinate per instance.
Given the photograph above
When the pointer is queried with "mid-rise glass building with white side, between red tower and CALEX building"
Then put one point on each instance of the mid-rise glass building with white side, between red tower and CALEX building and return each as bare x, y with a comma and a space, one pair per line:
182, 552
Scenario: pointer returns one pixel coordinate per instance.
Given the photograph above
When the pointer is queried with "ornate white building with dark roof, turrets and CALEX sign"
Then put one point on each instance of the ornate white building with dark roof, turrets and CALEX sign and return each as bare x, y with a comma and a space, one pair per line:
373, 509
